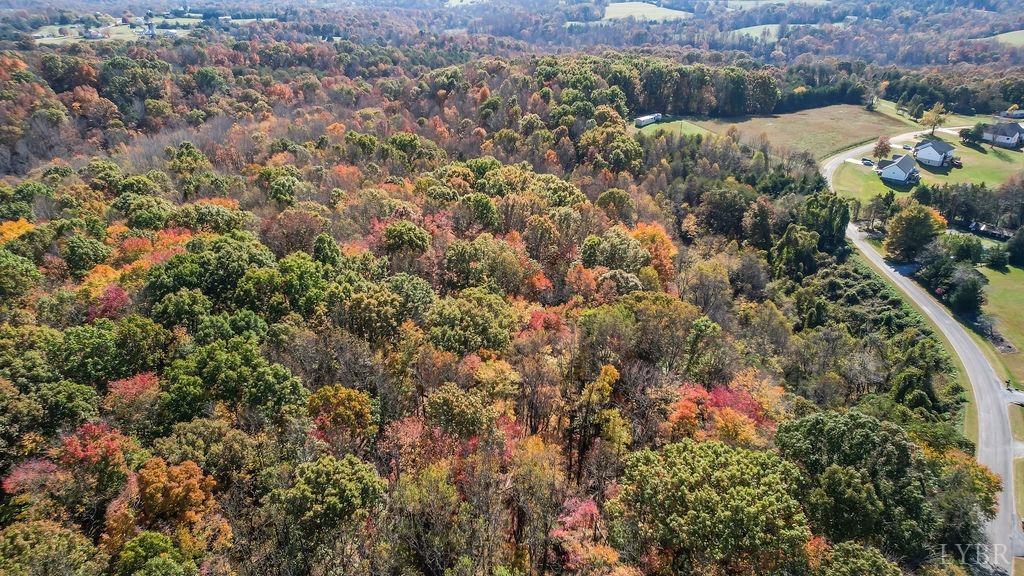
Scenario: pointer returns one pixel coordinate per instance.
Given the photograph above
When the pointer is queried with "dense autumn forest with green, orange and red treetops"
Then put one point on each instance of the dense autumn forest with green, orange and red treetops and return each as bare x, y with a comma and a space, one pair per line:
335, 295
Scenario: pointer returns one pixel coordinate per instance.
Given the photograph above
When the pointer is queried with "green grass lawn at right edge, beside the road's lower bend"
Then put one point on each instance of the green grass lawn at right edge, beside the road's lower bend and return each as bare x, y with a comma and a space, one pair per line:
1006, 301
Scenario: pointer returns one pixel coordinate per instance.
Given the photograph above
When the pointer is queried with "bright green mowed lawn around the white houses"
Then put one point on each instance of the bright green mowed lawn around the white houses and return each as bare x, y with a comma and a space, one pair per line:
992, 166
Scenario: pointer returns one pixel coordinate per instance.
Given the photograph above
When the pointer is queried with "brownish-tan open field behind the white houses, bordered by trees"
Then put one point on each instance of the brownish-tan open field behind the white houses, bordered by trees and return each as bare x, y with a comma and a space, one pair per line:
817, 132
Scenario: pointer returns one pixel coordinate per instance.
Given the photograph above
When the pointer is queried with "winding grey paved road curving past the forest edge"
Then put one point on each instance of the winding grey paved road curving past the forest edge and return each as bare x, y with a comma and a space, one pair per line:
996, 442
